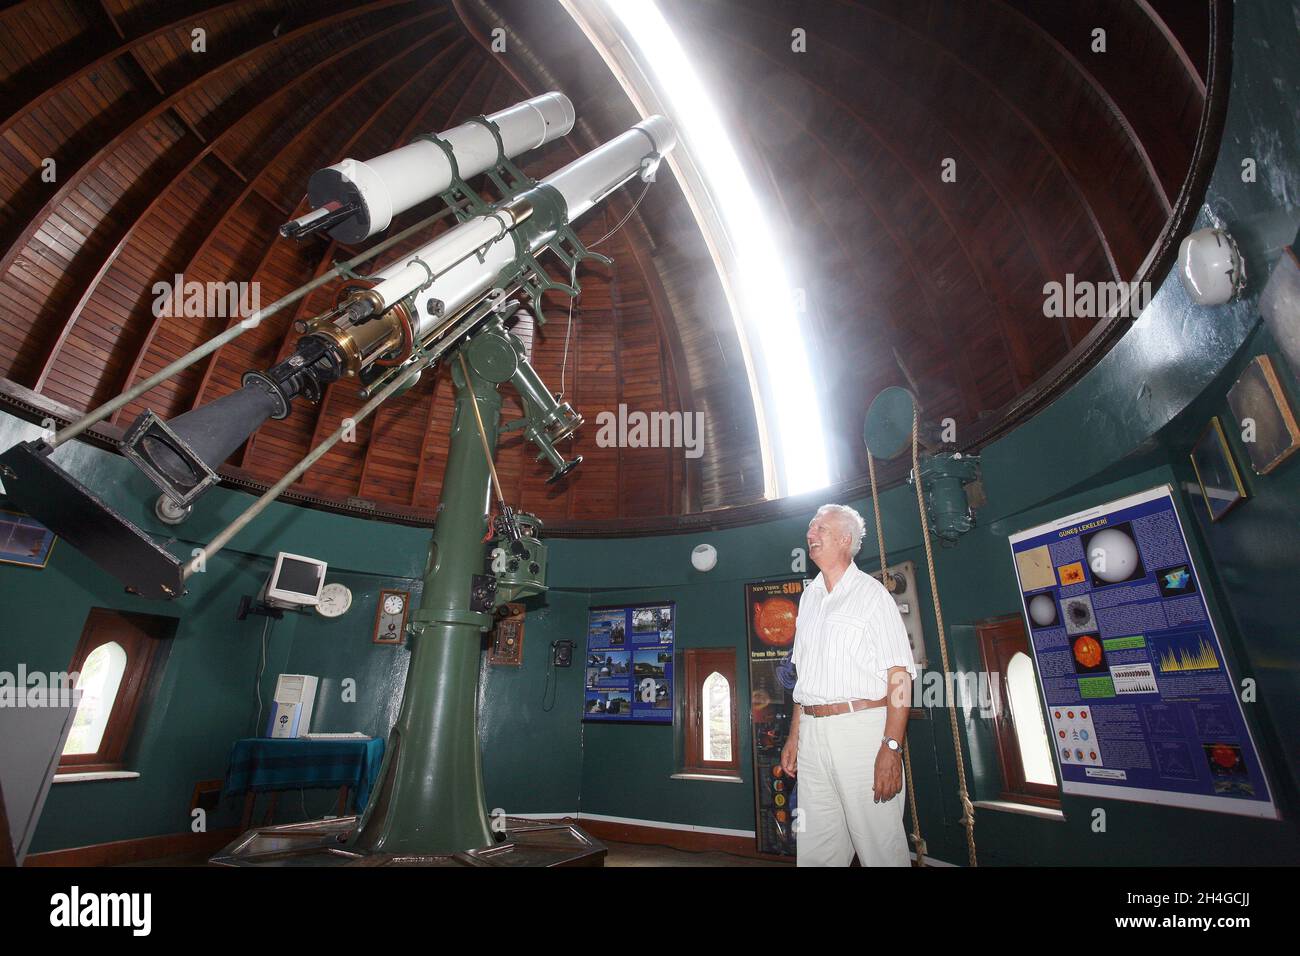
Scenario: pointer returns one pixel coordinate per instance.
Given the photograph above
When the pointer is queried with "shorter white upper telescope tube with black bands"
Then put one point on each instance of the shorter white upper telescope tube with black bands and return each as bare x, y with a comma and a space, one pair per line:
396, 181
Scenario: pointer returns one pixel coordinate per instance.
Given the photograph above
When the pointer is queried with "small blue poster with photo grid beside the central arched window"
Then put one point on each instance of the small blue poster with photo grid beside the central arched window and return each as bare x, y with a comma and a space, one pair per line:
630, 664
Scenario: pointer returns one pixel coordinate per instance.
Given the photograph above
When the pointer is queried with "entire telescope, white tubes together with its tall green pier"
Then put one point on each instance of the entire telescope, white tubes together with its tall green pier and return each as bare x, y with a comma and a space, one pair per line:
452, 297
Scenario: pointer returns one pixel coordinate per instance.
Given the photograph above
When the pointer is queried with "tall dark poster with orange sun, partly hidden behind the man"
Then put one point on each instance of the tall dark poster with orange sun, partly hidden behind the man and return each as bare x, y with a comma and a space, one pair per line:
772, 609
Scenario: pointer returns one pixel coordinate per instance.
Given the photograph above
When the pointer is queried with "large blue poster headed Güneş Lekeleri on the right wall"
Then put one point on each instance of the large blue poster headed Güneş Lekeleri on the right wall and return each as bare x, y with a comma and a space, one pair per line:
1139, 700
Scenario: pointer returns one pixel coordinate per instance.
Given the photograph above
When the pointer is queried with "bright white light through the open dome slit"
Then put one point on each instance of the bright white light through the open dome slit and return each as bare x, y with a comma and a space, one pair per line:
765, 292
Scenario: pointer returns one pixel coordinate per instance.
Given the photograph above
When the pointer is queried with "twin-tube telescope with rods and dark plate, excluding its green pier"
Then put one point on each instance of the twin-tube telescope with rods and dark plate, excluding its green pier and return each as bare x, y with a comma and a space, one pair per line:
384, 330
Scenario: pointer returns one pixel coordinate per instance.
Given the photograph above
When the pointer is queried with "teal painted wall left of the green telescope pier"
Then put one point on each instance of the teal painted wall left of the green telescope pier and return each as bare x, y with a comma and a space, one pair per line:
206, 699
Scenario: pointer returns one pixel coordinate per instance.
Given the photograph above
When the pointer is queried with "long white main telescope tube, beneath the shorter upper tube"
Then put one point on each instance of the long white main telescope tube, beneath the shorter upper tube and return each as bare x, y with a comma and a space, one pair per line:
465, 261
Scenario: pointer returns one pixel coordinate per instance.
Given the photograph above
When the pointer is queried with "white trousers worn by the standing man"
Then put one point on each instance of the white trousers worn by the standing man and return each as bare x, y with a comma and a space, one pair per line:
838, 811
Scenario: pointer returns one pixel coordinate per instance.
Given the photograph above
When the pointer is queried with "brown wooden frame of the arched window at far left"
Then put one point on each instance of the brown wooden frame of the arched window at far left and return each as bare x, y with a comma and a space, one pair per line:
141, 637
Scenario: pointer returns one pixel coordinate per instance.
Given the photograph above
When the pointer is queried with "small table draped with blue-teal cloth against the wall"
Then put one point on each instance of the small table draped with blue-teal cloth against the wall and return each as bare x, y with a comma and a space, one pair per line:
262, 765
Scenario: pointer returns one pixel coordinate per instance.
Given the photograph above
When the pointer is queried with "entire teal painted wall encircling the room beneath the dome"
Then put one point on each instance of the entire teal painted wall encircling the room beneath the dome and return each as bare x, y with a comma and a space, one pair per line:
1125, 427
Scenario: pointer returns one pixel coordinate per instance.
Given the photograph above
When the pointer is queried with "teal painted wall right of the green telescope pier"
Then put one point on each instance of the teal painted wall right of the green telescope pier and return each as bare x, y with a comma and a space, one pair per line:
1125, 427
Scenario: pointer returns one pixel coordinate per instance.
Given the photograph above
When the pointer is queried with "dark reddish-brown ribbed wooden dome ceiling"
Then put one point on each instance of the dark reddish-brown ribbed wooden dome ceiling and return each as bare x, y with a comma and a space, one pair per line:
168, 161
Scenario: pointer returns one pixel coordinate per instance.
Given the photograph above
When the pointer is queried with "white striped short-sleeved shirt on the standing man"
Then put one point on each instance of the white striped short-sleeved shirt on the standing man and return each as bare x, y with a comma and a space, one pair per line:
847, 641
